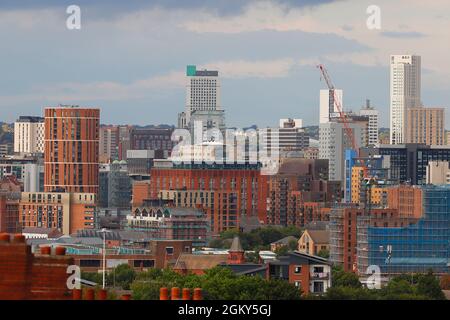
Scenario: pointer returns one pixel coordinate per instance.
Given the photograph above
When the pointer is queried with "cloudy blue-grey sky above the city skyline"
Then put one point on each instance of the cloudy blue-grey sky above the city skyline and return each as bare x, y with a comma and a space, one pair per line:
129, 56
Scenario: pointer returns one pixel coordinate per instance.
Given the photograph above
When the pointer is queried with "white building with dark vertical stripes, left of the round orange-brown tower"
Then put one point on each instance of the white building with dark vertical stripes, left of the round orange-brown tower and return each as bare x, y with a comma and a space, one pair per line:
29, 135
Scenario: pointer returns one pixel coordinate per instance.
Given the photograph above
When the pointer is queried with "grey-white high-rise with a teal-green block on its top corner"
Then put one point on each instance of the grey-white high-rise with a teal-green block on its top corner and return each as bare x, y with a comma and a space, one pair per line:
202, 91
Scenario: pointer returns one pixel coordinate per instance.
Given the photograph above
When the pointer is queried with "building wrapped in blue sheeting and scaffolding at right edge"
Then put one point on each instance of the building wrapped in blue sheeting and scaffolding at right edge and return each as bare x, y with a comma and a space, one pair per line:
421, 246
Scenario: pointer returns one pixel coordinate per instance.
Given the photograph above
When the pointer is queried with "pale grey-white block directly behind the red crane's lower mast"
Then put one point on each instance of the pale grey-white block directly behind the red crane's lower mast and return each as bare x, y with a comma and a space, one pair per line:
333, 141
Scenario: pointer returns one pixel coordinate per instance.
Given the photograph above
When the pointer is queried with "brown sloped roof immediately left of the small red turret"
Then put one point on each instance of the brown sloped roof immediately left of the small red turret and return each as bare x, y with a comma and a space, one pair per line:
199, 261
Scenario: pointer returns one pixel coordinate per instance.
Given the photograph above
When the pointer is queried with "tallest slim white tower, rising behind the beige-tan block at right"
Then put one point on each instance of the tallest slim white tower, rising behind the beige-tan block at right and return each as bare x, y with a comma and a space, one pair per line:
405, 93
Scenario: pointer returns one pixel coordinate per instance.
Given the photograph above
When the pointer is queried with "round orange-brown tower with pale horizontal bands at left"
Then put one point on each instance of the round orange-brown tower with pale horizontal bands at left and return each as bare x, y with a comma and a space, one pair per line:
71, 154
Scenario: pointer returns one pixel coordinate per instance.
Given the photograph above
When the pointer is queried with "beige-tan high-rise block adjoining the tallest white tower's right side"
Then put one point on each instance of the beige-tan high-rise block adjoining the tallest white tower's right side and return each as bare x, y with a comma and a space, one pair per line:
425, 125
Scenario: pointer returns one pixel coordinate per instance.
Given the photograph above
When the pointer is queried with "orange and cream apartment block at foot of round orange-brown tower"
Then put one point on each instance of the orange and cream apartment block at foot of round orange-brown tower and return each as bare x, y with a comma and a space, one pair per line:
67, 212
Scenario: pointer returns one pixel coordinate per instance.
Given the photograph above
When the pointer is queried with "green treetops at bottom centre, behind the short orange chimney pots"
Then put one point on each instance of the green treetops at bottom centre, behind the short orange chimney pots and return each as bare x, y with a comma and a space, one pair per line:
217, 284
